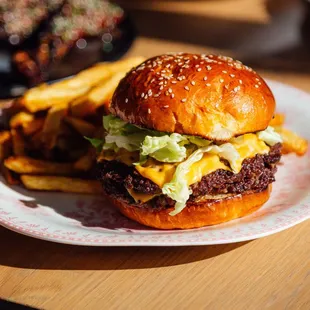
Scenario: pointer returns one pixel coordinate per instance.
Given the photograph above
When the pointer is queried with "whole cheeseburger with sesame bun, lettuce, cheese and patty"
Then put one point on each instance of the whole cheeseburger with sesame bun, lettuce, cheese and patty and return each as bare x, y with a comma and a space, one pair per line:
188, 142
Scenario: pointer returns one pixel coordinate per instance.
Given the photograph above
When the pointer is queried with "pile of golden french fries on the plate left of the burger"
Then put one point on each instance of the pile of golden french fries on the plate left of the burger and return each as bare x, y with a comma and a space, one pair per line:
44, 146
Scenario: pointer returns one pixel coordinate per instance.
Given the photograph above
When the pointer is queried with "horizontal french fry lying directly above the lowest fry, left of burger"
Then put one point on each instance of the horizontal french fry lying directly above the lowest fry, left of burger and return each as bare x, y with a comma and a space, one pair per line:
27, 165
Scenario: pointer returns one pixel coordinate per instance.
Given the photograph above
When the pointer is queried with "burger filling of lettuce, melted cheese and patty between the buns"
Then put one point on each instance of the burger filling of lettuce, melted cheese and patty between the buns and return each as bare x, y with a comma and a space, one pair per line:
157, 169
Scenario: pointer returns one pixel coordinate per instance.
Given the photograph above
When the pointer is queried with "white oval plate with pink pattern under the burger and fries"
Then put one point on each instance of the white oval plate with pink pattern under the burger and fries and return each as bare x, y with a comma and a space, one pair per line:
85, 220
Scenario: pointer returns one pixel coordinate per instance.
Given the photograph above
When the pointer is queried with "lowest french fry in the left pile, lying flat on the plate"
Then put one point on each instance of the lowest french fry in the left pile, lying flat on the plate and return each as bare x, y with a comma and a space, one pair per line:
62, 184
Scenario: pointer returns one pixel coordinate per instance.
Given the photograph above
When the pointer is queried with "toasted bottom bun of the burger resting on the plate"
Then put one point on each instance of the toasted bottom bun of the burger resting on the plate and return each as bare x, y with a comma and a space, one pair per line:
194, 215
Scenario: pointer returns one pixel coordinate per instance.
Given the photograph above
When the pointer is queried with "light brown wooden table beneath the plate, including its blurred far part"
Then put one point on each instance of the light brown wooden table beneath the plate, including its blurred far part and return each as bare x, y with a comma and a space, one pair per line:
272, 273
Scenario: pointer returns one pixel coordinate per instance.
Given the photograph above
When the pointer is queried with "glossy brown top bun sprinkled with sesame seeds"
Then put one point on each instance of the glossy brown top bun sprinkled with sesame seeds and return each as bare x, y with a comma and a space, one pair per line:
210, 96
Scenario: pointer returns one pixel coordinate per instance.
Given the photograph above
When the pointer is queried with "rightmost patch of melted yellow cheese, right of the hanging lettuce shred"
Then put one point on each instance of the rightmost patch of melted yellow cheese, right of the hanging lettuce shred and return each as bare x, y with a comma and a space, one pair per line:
248, 146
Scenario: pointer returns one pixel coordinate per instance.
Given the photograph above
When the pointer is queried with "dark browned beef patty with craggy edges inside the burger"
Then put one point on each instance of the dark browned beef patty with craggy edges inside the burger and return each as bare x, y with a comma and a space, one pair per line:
255, 176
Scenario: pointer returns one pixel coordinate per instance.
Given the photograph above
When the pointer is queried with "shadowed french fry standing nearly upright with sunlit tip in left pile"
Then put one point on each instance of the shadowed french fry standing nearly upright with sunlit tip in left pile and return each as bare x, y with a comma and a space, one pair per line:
52, 125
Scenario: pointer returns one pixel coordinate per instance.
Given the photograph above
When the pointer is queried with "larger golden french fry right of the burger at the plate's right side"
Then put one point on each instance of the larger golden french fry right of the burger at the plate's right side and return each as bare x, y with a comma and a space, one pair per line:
292, 142
